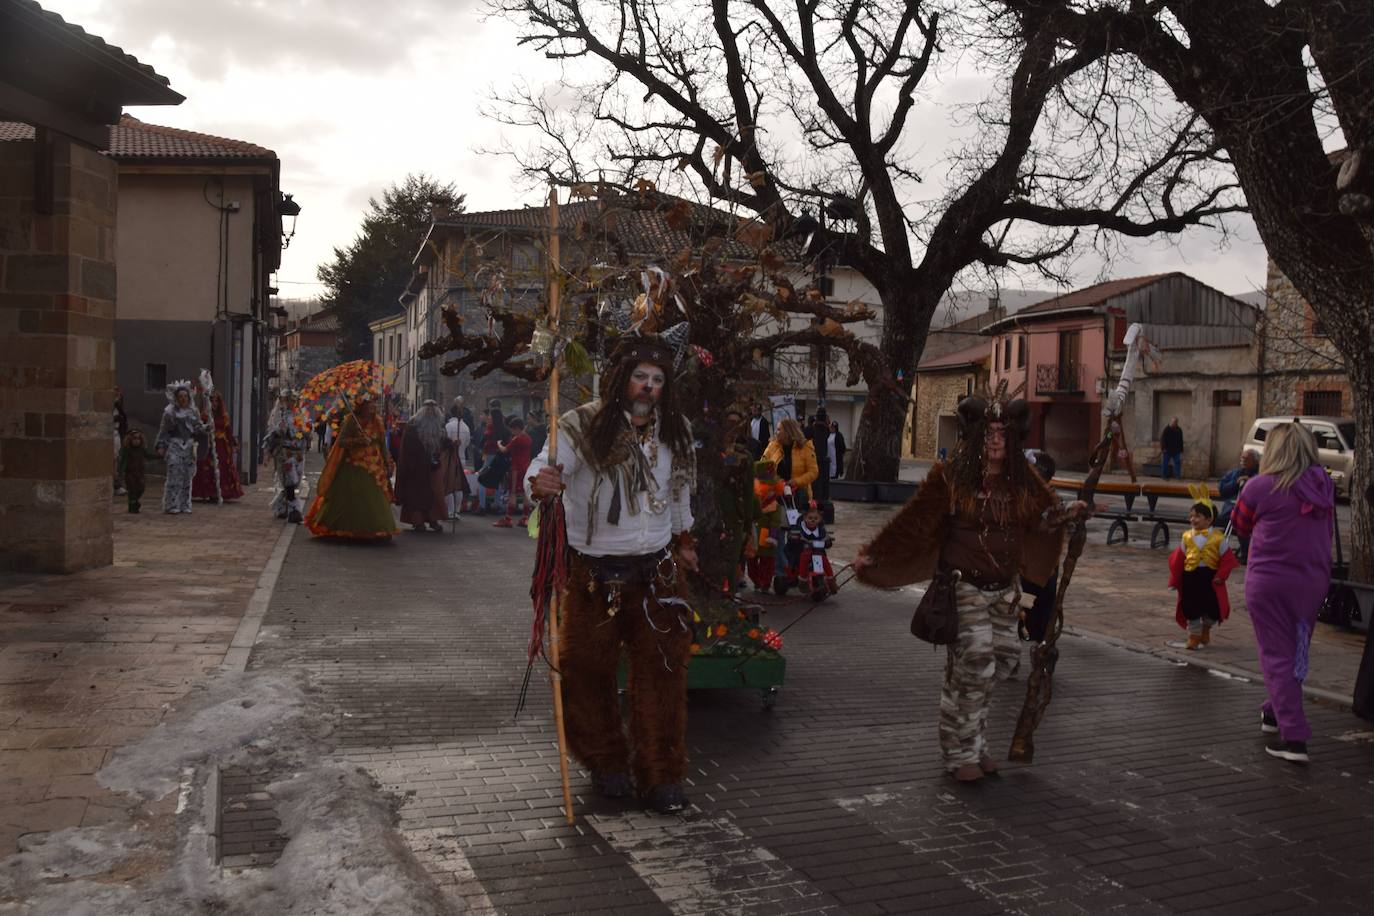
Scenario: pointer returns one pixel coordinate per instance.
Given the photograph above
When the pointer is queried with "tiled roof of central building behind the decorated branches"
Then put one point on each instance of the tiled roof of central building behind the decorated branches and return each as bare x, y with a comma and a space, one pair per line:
642, 231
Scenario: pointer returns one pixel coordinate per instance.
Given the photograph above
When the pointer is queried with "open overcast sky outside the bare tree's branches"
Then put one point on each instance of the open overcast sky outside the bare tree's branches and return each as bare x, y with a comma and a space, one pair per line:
355, 94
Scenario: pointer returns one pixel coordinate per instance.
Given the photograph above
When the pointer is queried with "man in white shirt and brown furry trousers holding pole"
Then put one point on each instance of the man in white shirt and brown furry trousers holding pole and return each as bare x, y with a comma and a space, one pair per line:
627, 469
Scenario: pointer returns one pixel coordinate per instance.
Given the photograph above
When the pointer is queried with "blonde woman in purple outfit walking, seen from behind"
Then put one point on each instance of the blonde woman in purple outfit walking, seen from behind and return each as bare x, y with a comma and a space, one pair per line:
1287, 513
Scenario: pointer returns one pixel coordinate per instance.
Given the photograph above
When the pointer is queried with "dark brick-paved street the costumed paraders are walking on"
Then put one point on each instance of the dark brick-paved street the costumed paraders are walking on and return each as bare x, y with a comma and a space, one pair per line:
1151, 792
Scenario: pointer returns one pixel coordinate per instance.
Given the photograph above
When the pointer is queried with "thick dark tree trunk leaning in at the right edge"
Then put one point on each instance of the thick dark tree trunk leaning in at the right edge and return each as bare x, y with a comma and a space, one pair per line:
1273, 82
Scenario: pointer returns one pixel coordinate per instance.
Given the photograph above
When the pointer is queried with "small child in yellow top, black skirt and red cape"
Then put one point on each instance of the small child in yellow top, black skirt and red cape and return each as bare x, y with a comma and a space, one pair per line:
1199, 569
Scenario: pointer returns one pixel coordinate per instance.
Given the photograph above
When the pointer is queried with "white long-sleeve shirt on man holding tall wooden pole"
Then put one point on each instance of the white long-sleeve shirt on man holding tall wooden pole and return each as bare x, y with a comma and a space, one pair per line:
637, 534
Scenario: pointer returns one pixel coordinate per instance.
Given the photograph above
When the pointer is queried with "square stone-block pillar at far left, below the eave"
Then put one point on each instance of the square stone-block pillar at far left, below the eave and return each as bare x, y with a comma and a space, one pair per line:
57, 359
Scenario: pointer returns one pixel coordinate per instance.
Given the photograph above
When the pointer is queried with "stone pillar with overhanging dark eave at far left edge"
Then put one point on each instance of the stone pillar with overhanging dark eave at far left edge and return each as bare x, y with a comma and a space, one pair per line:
58, 285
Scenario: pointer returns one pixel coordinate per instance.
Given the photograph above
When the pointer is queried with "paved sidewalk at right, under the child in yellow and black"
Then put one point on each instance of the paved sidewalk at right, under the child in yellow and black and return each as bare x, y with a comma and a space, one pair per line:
1120, 593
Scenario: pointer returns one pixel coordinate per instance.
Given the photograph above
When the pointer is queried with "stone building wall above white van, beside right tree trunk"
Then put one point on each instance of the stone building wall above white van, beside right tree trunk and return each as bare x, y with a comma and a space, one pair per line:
1300, 370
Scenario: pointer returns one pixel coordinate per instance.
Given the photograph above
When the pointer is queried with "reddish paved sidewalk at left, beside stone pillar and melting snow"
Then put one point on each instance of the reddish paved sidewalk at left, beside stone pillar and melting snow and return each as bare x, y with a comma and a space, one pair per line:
90, 663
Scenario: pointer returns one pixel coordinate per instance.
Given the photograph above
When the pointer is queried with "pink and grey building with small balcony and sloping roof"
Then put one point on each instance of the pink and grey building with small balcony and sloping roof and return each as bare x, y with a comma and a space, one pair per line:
1067, 352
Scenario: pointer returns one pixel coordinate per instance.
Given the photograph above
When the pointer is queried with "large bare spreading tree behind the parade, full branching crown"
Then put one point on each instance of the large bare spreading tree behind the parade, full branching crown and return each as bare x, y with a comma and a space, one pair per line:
795, 113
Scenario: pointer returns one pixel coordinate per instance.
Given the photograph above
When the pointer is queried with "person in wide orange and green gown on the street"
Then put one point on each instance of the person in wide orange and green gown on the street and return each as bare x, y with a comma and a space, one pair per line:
354, 496
